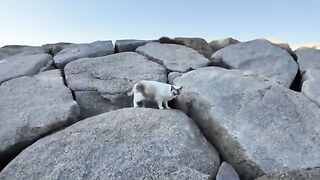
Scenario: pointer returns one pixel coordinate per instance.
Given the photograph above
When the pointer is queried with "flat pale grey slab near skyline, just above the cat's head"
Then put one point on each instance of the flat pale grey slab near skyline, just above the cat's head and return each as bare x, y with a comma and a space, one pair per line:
174, 57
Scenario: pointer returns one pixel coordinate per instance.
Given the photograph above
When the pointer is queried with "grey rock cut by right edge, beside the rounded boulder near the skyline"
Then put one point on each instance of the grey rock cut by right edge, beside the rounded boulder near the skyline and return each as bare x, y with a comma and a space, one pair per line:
308, 59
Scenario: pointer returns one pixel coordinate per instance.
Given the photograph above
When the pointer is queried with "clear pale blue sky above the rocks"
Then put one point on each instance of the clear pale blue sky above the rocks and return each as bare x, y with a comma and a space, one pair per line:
37, 22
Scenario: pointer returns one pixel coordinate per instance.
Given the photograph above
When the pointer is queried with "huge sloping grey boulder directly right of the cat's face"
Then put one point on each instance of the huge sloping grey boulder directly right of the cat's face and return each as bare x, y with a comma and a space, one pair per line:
258, 126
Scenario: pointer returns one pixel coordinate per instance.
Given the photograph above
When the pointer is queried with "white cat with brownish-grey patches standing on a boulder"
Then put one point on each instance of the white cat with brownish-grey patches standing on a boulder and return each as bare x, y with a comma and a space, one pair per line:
154, 91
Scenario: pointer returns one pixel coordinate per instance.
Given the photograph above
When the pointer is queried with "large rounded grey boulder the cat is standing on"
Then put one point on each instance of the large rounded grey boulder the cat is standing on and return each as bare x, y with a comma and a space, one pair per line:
139, 143
